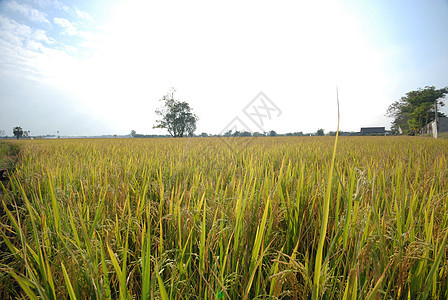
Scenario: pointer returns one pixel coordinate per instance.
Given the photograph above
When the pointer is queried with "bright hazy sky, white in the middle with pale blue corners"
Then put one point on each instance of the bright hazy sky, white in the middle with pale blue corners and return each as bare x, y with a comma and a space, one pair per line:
100, 67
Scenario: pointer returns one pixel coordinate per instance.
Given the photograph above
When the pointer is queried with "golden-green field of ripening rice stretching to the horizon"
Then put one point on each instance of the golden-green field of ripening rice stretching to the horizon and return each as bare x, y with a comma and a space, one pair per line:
235, 218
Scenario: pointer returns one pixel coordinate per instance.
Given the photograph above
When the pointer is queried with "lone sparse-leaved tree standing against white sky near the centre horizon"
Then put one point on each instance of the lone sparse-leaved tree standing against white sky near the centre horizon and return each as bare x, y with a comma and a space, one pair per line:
176, 116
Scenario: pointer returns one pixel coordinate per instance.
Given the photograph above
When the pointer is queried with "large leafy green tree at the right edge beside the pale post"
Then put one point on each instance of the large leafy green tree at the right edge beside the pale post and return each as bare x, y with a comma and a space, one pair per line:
413, 111
